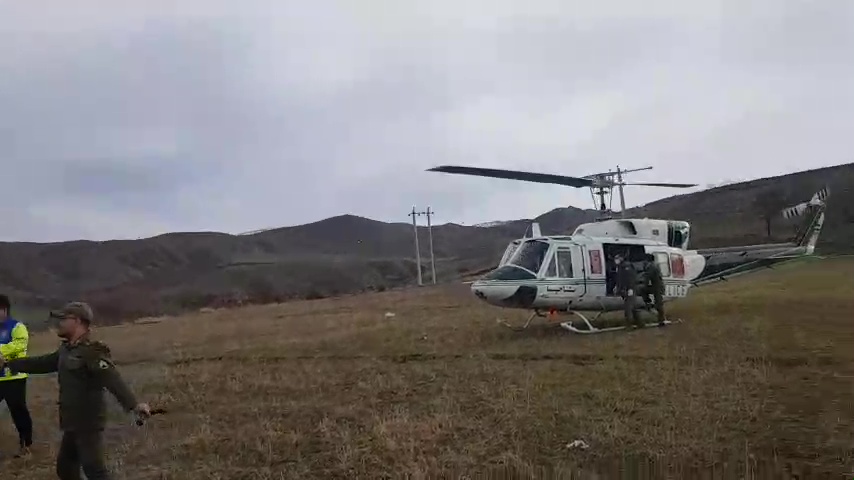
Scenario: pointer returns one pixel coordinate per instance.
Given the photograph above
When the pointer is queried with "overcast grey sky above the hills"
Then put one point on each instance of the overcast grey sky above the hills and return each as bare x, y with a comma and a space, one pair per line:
133, 118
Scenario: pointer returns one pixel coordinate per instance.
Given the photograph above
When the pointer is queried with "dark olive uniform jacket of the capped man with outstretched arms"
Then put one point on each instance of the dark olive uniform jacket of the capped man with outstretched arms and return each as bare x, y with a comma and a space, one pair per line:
84, 369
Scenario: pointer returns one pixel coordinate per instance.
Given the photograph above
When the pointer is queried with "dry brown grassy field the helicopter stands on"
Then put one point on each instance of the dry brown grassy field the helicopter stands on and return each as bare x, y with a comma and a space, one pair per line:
758, 377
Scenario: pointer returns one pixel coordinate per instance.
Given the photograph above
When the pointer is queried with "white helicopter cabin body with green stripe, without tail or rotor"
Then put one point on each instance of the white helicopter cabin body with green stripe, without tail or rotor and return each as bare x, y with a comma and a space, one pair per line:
576, 272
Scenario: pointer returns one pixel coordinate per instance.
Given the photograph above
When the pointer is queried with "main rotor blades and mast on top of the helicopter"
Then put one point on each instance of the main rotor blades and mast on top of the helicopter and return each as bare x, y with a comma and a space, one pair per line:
600, 184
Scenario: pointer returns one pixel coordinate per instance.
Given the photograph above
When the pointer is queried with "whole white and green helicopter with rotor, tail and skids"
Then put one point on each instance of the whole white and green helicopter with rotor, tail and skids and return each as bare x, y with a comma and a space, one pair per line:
576, 273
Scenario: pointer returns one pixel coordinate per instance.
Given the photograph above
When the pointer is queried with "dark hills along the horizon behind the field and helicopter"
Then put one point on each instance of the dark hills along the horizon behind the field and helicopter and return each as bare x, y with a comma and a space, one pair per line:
178, 271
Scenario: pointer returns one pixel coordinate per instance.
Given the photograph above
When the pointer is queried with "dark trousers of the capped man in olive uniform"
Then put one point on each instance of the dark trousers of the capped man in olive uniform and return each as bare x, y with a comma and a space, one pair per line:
82, 450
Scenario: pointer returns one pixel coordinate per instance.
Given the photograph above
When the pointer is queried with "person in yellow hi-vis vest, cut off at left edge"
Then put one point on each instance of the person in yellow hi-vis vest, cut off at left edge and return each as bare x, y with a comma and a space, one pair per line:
13, 386
